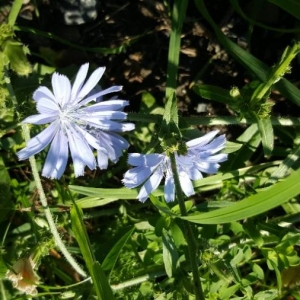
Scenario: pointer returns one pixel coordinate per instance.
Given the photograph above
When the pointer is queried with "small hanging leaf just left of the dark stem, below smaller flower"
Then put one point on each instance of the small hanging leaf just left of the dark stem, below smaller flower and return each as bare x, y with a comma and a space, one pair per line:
170, 254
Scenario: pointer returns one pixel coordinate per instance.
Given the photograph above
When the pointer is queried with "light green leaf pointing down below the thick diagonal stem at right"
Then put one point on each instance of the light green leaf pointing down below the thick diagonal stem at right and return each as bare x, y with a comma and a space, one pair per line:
266, 134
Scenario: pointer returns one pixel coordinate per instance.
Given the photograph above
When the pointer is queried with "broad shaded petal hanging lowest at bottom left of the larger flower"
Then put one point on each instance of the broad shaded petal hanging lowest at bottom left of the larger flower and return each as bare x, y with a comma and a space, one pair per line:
57, 157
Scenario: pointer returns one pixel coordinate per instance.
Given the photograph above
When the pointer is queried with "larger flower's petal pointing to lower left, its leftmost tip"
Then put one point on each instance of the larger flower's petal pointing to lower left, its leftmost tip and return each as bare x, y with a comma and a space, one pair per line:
39, 142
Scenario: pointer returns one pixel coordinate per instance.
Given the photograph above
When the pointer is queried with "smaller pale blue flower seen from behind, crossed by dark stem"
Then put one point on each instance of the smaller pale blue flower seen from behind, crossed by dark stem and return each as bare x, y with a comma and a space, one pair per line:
149, 169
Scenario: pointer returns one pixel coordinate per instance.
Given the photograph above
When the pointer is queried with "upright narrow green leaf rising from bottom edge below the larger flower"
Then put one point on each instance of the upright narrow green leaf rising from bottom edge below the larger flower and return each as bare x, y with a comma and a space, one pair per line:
100, 282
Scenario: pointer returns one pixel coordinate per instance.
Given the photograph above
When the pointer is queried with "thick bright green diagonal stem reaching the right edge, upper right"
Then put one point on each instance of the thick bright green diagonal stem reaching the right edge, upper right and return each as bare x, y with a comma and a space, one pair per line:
277, 73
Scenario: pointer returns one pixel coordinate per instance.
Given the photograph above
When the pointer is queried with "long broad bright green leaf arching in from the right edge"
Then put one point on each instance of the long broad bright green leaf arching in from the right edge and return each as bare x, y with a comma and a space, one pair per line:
254, 205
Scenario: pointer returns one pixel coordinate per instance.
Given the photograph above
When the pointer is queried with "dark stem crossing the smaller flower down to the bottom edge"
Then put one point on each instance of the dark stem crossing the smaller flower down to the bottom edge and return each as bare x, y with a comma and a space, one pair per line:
192, 246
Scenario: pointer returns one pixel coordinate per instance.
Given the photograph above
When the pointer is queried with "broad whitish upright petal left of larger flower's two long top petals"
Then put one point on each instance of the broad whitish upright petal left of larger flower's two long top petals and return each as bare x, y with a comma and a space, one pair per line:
61, 88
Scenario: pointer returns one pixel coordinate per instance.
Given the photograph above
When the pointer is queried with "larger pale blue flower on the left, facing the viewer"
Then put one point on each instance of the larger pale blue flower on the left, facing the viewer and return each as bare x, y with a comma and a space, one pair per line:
77, 126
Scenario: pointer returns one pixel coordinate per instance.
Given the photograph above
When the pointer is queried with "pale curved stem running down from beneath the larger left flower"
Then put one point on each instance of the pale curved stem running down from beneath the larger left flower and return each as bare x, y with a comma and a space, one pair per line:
58, 241
